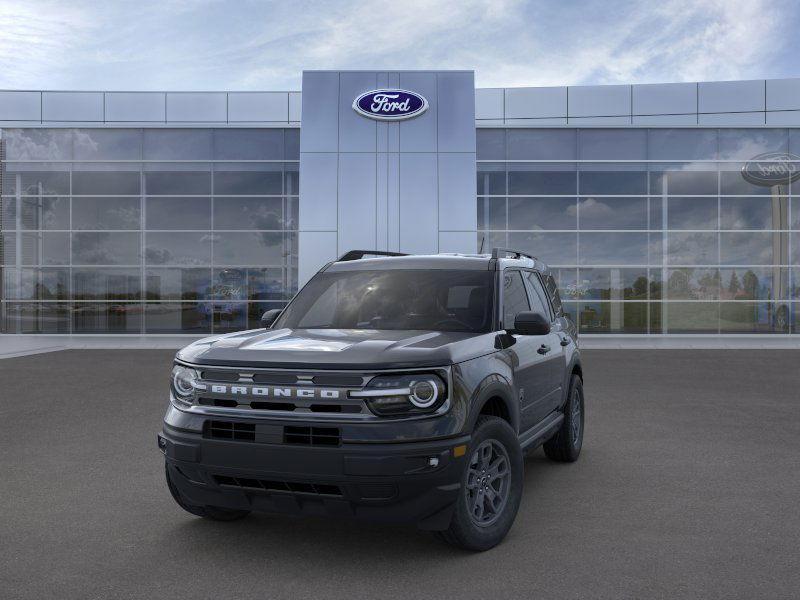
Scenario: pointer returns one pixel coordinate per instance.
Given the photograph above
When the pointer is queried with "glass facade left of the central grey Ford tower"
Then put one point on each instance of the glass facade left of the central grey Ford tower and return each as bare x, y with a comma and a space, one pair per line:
146, 230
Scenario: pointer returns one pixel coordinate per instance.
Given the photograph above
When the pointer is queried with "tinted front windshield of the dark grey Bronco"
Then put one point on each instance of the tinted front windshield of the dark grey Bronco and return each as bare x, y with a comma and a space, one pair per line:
435, 300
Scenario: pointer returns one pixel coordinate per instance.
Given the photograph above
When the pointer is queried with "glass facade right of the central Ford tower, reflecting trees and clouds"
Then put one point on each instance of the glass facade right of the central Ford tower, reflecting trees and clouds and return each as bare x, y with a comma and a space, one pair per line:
650, 230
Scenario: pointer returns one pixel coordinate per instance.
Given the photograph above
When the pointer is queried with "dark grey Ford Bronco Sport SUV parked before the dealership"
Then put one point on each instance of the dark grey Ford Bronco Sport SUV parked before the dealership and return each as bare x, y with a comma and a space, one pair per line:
392, 387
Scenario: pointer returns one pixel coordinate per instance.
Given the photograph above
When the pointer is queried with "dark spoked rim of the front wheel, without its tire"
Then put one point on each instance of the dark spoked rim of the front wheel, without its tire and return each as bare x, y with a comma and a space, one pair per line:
488, 482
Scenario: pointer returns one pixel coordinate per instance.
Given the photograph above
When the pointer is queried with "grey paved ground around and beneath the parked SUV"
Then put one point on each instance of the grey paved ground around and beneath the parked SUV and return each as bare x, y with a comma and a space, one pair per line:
688, 487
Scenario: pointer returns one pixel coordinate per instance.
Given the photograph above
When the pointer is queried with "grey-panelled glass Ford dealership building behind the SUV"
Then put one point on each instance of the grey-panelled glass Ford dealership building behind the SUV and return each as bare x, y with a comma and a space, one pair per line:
663, 209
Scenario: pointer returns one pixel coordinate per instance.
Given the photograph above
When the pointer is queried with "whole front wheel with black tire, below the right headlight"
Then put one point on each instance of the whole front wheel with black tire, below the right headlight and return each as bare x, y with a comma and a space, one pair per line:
478, 532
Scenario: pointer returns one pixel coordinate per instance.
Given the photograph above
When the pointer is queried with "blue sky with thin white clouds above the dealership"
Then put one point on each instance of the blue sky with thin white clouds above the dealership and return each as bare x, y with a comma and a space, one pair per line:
253, 45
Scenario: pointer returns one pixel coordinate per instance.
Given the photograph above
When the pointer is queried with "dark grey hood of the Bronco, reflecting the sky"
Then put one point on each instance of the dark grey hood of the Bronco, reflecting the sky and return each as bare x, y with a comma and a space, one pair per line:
359, 349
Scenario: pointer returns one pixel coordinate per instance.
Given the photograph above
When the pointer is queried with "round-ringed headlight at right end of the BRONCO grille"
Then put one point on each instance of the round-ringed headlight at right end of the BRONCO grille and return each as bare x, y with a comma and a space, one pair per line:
398, 395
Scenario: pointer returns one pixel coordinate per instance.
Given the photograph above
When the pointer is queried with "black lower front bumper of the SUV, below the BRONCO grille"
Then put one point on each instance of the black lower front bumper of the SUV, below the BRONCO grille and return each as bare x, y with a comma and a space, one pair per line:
405, 482
